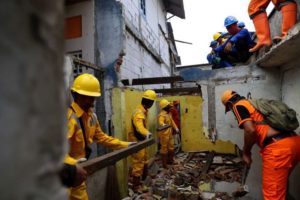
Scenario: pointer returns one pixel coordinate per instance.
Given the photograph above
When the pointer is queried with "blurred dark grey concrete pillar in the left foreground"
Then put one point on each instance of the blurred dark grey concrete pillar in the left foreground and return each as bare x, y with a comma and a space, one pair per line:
32, 103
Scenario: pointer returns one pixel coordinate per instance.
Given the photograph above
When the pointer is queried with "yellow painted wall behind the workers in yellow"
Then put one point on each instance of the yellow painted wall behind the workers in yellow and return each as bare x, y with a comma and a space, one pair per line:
124, 101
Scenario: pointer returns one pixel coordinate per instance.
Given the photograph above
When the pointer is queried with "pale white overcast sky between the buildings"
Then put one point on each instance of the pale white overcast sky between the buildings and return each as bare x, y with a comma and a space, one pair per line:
203, 19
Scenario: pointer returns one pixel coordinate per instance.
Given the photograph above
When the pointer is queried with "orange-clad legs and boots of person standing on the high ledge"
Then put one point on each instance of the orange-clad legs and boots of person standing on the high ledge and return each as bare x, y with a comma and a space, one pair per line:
257, 12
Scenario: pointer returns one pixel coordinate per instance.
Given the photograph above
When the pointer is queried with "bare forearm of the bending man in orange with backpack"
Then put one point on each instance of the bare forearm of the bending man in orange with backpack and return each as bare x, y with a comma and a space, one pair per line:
249, 141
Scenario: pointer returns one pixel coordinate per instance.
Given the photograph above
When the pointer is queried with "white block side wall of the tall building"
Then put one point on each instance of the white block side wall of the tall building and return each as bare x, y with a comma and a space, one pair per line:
138, 62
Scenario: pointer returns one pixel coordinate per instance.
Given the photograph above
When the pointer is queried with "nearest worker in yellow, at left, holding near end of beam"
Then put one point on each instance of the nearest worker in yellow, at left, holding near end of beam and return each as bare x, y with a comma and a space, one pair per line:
84, 128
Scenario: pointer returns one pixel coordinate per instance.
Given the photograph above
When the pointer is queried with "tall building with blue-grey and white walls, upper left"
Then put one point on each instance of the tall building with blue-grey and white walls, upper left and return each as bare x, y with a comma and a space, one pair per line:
128, 39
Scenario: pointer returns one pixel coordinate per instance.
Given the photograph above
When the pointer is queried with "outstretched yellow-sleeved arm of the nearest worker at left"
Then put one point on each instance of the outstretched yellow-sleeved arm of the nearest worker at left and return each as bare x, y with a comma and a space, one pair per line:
108, 141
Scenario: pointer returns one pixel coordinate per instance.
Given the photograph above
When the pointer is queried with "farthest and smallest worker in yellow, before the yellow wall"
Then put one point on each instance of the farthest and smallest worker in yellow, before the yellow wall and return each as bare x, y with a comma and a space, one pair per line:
166, 135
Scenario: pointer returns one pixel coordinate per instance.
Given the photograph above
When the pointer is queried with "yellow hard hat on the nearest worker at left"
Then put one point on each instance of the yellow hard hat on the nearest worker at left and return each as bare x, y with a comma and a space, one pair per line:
86, 84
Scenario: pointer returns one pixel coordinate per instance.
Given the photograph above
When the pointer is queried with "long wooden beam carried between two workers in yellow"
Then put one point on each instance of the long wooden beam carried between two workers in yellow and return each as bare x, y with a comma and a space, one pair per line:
98, 163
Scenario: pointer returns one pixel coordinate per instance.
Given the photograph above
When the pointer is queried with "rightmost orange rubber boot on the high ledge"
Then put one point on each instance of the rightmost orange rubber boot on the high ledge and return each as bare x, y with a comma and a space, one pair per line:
289, 19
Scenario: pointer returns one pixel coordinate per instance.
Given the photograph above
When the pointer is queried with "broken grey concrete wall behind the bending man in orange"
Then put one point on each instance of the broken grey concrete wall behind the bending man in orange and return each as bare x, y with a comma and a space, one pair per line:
273, 75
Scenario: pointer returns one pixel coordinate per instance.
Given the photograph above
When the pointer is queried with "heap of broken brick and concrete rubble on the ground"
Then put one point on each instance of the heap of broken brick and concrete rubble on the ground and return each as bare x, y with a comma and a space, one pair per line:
185, 179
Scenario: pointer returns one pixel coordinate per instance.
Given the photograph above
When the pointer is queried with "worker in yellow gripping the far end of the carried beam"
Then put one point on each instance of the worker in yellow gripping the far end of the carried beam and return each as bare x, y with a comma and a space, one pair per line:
139, 132
